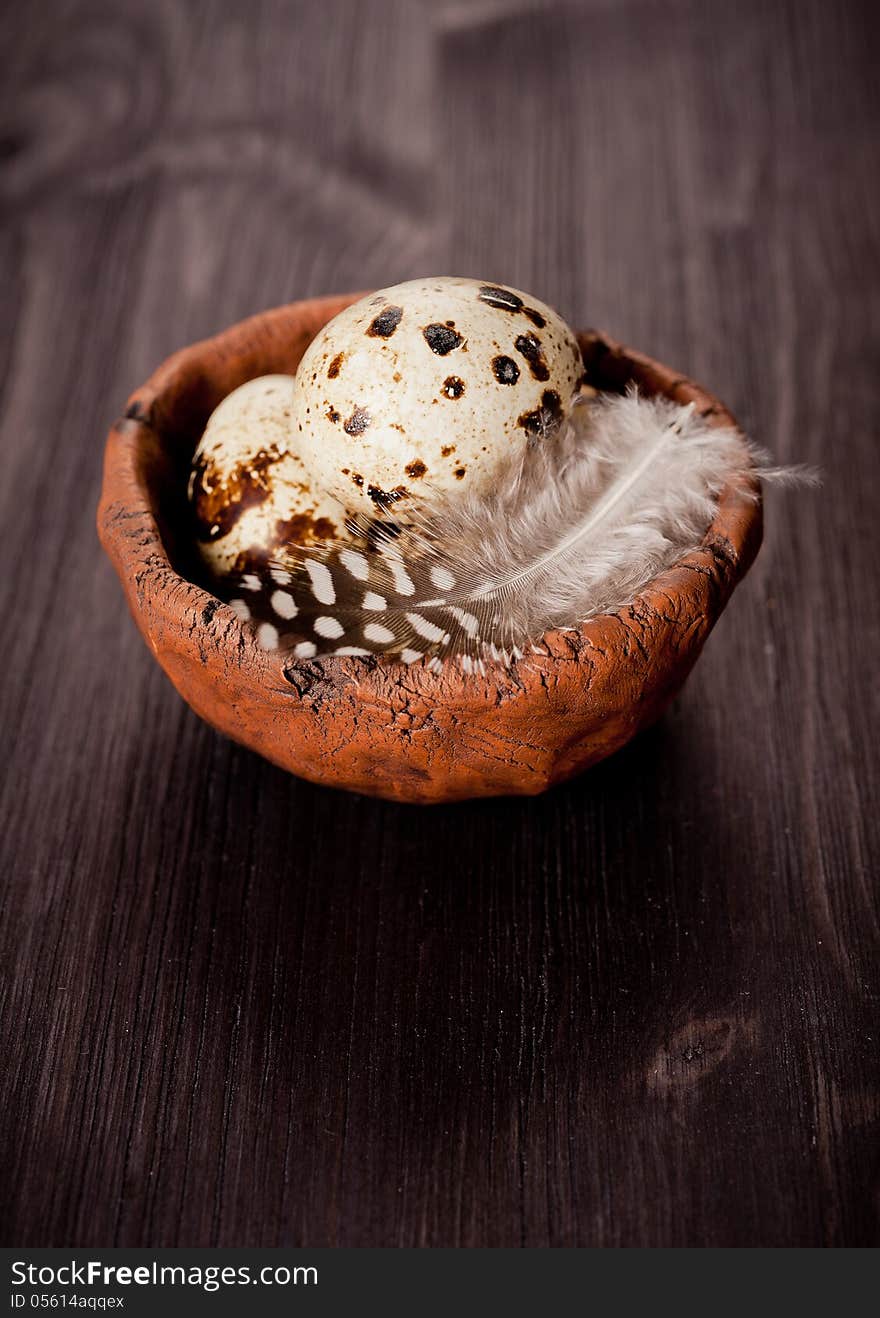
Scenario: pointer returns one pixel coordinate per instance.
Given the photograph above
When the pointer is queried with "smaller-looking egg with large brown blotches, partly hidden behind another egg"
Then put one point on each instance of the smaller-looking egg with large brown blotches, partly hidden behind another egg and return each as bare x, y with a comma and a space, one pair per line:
250, 490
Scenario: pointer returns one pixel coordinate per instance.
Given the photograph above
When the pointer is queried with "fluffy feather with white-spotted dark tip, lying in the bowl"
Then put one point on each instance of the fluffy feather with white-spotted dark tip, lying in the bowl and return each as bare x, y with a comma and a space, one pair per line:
575, 528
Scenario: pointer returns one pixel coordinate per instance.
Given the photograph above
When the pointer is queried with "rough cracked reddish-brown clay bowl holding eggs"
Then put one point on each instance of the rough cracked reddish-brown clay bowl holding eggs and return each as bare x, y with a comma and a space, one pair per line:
371, 726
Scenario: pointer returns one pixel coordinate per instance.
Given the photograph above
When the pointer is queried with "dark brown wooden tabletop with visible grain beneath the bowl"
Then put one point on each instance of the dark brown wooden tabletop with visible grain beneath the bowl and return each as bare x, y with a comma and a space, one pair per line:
642, 1010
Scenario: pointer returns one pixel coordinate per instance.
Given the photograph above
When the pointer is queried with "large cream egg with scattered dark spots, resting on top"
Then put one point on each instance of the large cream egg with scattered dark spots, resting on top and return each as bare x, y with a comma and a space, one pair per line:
431, 383
